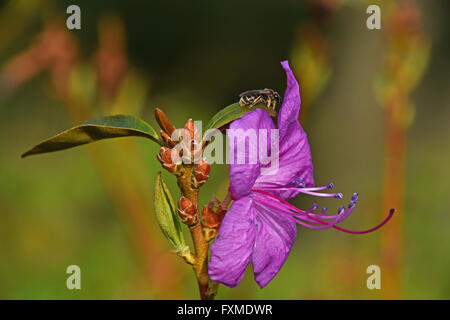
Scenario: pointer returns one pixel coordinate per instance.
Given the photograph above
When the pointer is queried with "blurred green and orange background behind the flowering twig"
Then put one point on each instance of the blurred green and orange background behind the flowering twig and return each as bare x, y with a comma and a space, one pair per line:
375, 105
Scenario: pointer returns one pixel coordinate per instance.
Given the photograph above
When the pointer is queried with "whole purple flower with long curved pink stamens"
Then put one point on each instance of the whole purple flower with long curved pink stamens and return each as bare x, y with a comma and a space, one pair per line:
261, 226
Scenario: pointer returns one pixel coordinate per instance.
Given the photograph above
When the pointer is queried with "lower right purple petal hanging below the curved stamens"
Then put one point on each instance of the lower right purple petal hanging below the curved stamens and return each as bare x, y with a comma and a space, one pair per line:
275, 235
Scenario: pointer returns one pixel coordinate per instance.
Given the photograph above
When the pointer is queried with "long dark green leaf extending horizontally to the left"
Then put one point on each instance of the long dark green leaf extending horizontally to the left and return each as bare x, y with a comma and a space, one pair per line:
97, 129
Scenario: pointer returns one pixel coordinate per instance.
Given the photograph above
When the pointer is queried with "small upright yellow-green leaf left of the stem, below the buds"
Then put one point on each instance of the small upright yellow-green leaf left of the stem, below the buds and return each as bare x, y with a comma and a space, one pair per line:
167, 216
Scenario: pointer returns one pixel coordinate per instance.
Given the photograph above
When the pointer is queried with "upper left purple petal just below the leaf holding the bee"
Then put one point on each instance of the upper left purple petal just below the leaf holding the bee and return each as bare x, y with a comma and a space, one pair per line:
243, 175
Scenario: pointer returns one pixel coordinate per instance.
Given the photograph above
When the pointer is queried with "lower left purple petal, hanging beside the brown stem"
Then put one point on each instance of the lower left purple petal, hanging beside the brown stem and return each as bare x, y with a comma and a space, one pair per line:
231, 251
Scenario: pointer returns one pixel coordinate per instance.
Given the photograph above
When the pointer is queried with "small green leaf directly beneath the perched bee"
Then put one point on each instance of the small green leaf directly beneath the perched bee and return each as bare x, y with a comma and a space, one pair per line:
231, 113
